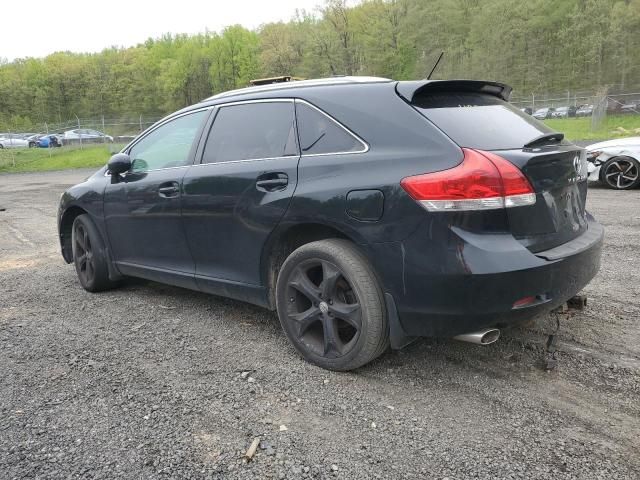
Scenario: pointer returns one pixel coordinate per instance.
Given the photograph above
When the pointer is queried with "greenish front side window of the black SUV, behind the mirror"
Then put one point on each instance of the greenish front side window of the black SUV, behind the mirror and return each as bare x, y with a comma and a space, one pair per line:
168, 145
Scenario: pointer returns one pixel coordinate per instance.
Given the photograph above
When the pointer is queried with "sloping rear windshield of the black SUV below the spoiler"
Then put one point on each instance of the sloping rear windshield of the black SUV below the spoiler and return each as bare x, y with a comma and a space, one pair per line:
480, 120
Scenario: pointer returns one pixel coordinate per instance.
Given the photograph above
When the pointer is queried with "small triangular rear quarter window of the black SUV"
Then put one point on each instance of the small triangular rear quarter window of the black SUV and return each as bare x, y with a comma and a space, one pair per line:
320, 134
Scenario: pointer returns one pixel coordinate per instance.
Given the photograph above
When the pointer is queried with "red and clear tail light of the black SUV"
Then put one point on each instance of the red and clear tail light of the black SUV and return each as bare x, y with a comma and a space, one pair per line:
483, 181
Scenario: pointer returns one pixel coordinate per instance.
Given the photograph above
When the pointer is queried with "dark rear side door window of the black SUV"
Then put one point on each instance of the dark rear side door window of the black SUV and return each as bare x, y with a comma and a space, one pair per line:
252, 131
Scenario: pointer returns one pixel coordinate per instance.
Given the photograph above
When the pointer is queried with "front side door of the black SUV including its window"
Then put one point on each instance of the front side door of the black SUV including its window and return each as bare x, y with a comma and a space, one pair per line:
142, 207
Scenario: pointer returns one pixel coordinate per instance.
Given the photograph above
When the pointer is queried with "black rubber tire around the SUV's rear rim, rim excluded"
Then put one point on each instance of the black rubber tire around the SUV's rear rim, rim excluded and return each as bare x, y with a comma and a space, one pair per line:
359, 354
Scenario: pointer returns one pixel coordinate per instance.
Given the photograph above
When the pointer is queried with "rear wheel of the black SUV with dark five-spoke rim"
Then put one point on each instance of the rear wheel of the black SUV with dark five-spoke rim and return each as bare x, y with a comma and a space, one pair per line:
331, 306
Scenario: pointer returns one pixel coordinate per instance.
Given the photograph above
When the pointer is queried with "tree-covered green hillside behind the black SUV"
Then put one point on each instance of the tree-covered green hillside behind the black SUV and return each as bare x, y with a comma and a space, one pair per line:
536, 46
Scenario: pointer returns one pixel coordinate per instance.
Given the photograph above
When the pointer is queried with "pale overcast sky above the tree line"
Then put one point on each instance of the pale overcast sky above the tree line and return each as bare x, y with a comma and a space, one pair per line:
36, 28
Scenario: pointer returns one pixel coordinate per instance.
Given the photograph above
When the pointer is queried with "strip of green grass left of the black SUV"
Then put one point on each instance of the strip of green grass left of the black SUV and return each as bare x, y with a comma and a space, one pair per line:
43, 159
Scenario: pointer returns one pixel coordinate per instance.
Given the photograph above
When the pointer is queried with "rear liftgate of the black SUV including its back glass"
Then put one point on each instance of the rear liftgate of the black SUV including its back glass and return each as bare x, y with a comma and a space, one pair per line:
556, 169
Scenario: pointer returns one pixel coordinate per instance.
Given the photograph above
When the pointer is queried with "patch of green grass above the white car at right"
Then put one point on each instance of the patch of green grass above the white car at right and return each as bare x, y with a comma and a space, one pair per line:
614, 126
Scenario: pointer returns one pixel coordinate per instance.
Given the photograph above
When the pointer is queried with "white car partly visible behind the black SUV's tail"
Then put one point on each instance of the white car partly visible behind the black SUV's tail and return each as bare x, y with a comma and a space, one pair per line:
616, 163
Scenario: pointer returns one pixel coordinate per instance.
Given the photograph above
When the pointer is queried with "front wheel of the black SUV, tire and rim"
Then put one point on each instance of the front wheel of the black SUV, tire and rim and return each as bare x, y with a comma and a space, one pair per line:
89, 255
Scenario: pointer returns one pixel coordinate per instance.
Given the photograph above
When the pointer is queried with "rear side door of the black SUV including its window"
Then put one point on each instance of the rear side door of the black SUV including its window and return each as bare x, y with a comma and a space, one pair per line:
240, 190
